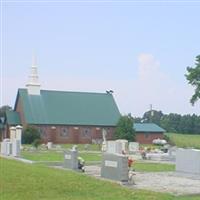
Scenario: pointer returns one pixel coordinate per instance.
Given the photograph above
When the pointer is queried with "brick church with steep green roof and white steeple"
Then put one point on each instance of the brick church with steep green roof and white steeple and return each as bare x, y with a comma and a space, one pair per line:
64, 116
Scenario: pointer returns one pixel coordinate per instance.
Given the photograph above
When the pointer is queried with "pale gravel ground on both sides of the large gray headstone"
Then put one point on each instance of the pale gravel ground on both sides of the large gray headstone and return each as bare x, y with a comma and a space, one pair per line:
169, 182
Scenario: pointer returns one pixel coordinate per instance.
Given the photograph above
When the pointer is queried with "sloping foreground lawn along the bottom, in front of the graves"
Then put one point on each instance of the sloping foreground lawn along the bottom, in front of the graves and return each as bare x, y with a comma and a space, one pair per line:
19, 181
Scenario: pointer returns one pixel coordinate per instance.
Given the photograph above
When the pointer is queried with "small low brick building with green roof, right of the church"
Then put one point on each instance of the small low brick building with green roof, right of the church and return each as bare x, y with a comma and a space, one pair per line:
146, 132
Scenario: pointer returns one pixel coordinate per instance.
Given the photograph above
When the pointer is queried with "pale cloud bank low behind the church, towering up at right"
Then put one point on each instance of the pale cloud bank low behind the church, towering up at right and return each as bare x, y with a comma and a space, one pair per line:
151, 86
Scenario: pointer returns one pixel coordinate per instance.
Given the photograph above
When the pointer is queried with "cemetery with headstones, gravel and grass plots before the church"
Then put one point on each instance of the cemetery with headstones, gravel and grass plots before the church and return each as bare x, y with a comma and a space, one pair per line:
175, 171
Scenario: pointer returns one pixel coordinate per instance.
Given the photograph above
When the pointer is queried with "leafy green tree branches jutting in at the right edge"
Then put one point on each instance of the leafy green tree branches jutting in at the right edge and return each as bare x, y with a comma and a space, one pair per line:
193, 77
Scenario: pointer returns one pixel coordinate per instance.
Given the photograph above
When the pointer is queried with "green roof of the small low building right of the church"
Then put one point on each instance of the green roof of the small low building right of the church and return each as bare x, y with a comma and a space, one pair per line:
147, 127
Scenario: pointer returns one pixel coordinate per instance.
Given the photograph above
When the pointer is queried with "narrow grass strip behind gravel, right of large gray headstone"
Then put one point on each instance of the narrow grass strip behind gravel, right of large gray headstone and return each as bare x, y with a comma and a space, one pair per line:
153, 167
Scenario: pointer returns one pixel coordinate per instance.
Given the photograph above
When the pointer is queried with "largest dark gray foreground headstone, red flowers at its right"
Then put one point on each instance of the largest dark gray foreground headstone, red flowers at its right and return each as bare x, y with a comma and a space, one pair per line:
115, 167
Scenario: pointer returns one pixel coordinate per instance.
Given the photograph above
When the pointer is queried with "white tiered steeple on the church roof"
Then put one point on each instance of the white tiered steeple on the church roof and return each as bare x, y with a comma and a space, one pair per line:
33, 84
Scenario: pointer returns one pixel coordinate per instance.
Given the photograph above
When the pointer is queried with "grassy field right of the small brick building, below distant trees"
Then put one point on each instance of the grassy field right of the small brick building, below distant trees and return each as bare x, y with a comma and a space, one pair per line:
185, 140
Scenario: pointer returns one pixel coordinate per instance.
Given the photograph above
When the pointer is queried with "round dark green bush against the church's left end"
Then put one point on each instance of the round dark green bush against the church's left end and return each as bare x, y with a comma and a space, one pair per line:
30, 134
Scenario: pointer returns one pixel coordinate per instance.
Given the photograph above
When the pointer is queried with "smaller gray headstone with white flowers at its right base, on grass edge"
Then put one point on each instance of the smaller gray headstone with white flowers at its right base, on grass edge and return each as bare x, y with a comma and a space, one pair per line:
71, 159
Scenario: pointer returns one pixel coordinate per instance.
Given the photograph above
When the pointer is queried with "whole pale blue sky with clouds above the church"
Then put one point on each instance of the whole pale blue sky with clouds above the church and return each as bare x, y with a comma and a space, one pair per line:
138, 49
